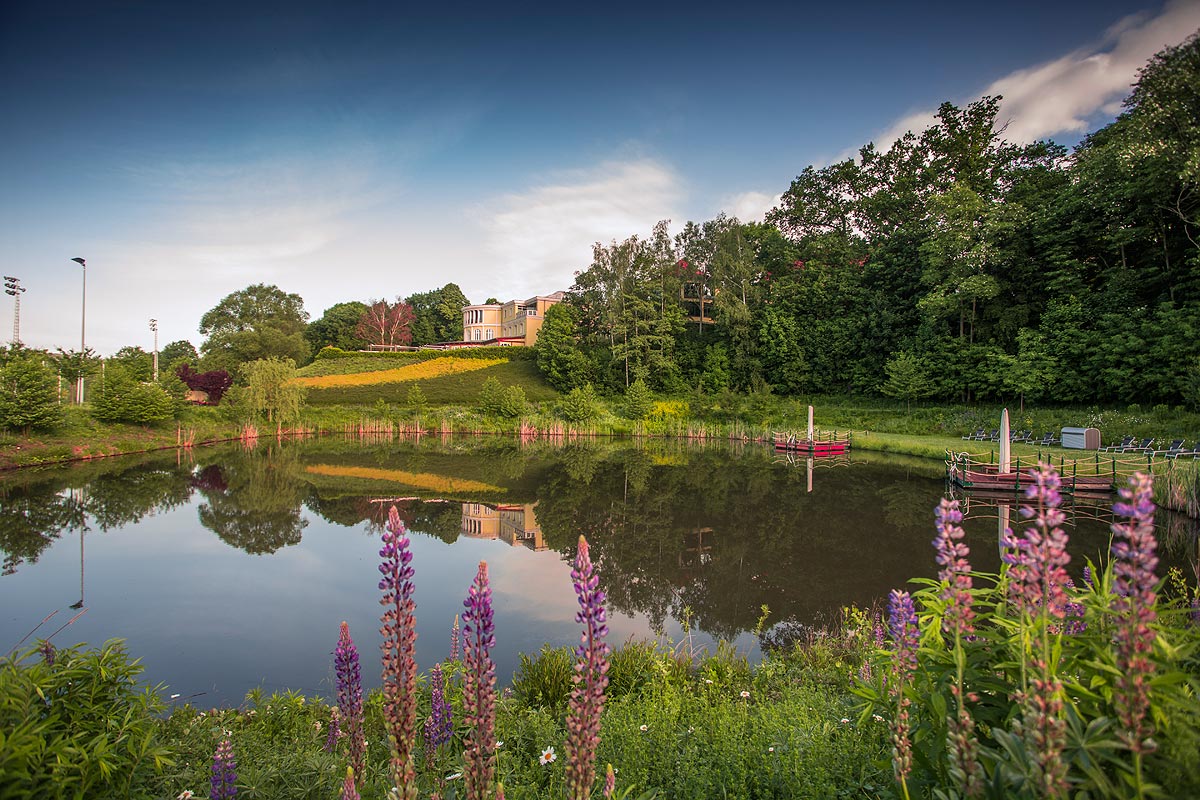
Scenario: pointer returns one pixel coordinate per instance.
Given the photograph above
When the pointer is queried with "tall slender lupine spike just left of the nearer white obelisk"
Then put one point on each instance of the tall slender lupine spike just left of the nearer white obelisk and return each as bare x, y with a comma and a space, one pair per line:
958, 621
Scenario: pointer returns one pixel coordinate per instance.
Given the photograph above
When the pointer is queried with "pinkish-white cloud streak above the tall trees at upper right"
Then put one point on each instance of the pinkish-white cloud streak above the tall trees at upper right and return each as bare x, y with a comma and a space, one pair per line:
1066, 95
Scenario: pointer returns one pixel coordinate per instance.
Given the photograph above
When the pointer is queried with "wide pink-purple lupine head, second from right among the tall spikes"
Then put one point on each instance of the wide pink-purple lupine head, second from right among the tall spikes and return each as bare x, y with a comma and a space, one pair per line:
1039, 561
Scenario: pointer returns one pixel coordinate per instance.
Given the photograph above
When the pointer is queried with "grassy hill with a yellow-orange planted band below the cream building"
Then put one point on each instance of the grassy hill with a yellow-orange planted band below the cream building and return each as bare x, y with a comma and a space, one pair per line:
446, 378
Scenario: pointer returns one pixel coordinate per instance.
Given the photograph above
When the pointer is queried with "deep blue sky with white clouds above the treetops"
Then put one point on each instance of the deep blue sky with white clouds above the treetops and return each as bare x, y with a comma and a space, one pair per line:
365, 151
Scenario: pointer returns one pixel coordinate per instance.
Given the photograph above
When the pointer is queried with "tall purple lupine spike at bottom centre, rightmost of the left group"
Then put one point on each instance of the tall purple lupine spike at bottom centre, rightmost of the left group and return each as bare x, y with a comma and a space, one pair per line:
591, 678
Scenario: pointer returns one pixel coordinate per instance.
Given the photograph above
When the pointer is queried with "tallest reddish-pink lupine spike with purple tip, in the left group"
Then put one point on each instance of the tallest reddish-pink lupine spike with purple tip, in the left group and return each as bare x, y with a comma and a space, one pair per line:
399, 634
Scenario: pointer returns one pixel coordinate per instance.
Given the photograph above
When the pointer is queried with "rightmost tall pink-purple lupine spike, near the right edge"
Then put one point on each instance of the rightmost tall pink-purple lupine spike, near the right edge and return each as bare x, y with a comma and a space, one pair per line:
1133, 568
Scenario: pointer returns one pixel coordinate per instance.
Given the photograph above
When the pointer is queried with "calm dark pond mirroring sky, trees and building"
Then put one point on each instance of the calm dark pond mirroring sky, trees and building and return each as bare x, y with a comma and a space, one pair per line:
227, 568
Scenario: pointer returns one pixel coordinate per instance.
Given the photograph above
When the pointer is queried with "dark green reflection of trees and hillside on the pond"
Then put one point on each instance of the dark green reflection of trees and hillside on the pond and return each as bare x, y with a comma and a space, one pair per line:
713, 533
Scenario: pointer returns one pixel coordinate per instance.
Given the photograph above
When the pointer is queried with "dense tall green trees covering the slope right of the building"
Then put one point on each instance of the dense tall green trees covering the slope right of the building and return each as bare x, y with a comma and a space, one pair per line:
952, 264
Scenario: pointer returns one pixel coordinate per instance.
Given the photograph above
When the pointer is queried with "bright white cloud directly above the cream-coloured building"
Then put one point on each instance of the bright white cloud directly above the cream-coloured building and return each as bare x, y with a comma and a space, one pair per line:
539, 238
